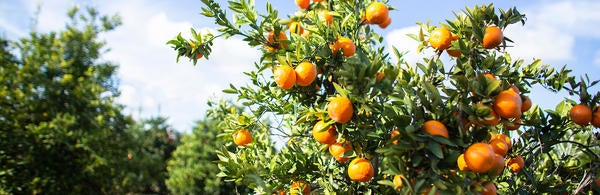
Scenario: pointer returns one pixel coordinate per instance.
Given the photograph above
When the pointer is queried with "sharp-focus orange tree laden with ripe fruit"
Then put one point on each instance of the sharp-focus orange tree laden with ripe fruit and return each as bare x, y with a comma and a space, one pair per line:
458, 127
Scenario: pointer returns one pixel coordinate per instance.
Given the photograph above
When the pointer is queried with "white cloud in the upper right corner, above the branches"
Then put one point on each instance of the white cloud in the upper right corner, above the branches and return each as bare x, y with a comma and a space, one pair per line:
551, 30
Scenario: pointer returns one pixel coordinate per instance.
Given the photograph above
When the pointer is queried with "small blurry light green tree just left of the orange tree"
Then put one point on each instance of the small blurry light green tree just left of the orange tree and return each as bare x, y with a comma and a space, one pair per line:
193, 170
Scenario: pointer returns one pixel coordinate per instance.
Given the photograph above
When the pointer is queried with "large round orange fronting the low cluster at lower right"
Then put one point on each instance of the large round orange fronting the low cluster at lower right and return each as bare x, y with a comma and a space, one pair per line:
479, 156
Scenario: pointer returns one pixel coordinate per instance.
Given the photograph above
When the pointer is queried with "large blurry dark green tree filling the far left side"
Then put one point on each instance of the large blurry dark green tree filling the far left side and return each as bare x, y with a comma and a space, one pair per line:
60, 130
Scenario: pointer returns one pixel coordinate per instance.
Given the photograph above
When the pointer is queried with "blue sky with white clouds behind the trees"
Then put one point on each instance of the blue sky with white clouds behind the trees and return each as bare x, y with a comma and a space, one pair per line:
559, 32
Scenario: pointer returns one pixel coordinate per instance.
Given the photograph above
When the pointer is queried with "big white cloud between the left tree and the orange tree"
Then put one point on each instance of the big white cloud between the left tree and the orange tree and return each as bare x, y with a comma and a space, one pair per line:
151, 79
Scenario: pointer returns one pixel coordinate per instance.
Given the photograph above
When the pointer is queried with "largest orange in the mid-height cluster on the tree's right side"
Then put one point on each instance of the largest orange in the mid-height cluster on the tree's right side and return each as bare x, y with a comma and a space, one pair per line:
507, 104
